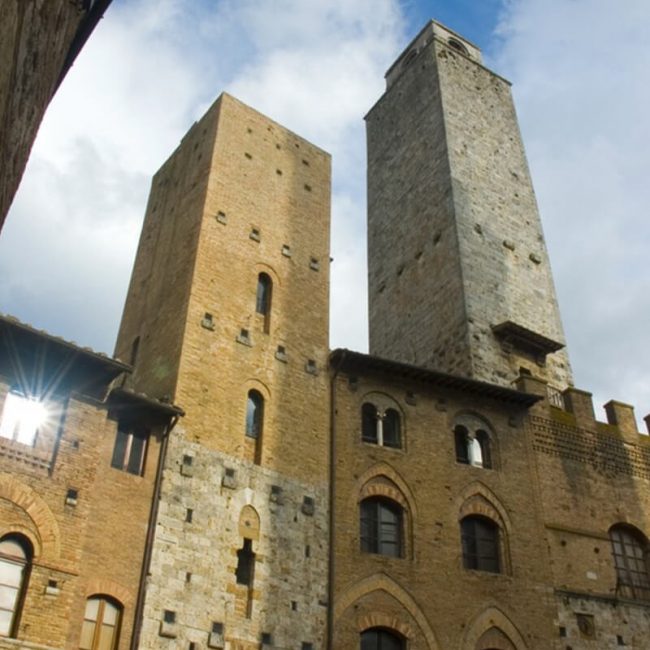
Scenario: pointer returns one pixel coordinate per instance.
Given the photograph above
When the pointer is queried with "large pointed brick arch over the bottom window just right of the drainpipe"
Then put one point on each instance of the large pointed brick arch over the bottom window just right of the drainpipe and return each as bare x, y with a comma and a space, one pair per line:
381, 582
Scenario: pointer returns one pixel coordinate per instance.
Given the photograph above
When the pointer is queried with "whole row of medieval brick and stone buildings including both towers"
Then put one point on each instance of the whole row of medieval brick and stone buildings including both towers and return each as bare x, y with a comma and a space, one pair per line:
450, 490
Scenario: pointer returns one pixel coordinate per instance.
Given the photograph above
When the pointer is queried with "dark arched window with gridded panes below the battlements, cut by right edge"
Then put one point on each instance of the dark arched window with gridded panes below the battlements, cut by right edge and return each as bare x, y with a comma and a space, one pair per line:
630, 550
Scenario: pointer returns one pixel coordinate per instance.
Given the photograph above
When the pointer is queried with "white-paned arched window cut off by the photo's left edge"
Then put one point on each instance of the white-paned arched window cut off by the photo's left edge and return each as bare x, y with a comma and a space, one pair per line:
15, 562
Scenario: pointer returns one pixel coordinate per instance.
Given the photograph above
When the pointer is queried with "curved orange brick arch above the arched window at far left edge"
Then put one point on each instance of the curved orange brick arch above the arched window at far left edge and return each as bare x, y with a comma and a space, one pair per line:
48, 546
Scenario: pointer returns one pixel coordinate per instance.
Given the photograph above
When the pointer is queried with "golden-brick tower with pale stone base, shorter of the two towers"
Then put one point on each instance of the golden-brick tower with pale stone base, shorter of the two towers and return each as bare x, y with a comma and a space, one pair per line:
227, 314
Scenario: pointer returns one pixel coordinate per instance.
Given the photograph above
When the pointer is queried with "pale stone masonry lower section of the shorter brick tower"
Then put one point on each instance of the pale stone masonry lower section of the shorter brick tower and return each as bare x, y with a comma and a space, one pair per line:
195, 561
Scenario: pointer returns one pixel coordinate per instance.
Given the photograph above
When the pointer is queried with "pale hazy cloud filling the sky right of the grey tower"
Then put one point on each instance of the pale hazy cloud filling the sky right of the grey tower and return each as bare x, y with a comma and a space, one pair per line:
578, 70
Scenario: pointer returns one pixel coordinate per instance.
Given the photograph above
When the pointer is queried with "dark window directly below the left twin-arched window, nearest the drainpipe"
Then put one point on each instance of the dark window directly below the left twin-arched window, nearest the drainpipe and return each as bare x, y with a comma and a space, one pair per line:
381, 527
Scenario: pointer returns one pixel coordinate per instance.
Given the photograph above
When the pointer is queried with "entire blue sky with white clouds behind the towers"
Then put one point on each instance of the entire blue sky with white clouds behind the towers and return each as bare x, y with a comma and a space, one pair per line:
151, 68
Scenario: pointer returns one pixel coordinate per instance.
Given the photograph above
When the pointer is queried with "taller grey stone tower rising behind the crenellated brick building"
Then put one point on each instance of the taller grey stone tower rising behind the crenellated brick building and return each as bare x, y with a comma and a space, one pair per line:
459, 276
